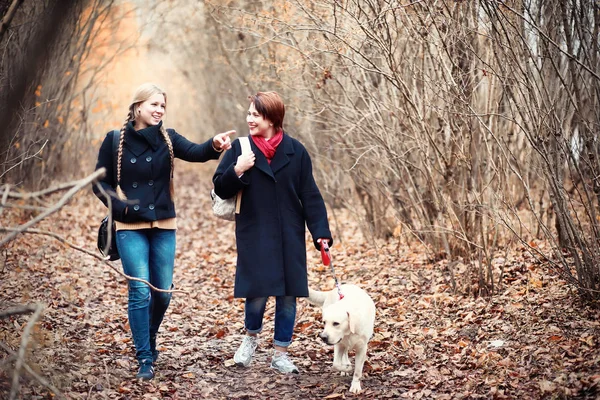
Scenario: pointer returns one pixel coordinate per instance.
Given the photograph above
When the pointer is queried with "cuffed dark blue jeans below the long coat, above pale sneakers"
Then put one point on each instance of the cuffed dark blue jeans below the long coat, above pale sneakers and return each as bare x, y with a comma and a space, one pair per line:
285, 317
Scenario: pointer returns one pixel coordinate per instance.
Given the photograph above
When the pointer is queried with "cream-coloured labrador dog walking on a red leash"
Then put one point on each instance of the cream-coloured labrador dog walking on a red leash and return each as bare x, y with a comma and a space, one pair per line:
348, 326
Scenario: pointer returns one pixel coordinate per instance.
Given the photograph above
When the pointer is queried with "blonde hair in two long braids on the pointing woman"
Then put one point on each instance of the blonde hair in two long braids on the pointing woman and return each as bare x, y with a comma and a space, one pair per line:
141, 94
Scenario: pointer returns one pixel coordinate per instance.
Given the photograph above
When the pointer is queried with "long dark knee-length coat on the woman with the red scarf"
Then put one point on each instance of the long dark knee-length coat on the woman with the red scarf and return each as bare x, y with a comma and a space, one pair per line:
278, 202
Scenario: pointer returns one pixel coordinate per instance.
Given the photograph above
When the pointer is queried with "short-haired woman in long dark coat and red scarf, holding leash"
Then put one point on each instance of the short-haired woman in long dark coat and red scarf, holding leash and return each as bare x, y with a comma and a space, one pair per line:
280, 199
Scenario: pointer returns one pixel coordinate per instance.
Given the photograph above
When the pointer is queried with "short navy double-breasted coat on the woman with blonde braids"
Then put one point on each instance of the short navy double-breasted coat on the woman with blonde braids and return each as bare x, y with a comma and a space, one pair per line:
146, 171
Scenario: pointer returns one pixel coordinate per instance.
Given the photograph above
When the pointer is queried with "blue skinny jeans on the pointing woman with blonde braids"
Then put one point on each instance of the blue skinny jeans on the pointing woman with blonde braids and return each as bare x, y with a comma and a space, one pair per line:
148, 254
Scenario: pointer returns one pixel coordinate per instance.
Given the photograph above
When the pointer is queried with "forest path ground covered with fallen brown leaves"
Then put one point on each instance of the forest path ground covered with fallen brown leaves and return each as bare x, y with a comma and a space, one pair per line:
531, 340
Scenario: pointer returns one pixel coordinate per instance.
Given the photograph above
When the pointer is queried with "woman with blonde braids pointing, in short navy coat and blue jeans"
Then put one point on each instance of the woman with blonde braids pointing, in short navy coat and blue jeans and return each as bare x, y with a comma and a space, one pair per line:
144, 211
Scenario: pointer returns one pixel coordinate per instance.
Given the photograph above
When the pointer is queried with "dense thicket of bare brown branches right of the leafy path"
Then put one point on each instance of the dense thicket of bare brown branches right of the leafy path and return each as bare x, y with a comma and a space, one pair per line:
455, 121
